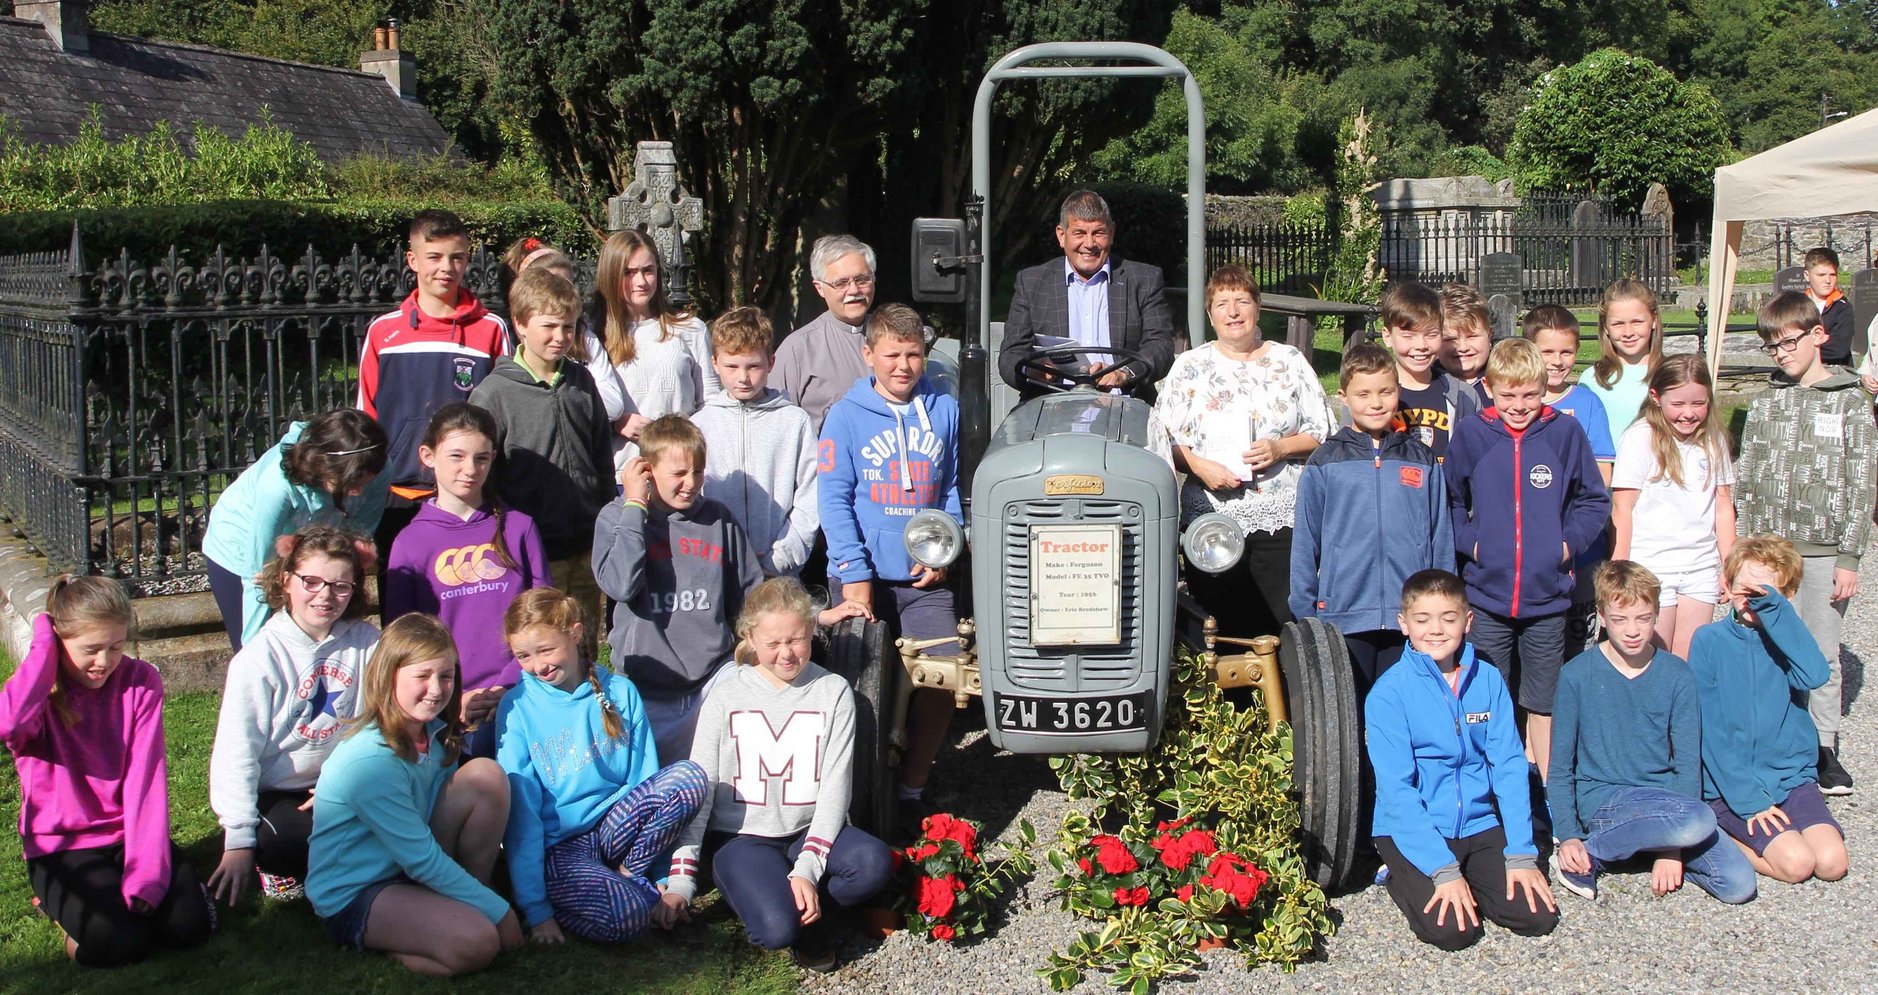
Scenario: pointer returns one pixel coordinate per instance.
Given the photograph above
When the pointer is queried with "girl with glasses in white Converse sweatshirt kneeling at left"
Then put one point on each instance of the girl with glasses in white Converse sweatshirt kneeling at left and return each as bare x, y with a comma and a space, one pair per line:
288, 694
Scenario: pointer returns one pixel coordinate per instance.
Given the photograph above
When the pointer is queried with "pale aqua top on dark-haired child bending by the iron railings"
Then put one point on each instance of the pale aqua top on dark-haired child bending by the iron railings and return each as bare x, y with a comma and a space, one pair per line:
264, 506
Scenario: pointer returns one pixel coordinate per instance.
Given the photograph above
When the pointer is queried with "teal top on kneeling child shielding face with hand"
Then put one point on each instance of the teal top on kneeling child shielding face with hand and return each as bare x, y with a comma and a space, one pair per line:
1759, 741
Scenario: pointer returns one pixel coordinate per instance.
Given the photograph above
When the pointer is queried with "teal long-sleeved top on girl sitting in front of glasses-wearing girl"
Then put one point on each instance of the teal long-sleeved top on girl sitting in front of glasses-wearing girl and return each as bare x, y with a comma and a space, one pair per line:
373, 823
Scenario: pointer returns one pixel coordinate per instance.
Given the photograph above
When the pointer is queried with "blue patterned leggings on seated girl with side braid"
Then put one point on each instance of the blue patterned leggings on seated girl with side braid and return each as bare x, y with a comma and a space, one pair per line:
598, 880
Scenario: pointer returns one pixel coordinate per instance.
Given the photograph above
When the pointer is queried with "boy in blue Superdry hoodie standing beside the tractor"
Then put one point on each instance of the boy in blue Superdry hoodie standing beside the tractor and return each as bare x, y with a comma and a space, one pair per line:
889, 450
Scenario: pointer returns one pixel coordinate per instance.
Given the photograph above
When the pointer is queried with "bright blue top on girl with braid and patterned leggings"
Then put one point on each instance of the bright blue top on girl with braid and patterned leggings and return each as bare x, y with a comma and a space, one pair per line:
564, 773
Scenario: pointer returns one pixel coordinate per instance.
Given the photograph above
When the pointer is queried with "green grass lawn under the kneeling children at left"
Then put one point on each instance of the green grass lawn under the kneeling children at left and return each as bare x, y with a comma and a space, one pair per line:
281, 947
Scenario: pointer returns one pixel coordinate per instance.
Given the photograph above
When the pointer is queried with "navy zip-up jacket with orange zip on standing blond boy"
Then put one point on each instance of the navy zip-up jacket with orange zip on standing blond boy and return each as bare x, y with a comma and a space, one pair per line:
1515, 500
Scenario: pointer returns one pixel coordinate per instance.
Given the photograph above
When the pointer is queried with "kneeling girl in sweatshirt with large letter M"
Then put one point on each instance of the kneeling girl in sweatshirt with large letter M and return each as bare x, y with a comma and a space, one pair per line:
777, 739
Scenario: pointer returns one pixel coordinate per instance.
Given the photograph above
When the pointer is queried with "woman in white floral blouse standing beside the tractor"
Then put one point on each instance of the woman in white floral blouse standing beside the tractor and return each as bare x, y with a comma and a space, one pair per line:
1244, 416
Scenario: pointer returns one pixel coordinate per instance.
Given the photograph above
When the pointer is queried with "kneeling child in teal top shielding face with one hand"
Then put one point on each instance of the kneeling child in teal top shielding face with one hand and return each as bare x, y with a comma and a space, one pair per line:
1759, 744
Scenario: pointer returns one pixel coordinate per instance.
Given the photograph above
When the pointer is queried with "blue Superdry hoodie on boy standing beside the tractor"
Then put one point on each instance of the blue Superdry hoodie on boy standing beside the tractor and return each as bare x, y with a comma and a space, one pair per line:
878, 467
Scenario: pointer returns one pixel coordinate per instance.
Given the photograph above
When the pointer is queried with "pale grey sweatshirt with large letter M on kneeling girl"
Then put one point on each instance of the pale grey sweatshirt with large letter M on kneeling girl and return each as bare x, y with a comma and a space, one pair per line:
780, 759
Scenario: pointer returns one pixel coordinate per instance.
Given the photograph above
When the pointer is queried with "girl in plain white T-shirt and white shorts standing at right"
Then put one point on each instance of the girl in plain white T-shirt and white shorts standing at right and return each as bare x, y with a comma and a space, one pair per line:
1672, 497
